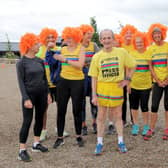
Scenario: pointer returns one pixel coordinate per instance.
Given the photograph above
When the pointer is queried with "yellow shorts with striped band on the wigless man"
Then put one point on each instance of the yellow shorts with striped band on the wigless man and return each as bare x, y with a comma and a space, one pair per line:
109, 94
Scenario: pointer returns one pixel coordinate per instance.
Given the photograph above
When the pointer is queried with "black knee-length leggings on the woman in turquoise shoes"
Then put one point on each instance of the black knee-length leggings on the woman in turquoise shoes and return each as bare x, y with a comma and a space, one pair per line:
139, 97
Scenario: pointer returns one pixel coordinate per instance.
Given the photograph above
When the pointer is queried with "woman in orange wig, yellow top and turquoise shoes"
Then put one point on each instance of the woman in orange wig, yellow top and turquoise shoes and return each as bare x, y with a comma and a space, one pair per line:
141, 83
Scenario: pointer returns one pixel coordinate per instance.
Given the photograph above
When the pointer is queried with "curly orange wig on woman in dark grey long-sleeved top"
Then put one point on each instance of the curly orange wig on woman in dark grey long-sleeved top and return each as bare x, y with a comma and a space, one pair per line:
27, 41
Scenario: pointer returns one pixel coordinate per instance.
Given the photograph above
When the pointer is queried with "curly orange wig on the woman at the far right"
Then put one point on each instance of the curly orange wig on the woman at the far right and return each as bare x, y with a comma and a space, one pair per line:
157, 27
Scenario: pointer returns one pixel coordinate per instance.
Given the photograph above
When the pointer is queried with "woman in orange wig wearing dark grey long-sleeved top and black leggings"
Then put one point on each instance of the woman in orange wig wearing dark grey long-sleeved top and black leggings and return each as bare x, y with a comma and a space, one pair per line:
35, 94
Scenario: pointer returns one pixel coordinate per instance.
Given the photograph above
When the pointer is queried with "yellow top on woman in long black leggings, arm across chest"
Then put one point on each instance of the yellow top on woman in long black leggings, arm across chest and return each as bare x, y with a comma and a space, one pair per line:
68, 71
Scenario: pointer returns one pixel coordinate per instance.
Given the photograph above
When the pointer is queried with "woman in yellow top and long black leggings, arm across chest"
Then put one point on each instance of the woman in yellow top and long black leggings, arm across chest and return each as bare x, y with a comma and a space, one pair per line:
71, 83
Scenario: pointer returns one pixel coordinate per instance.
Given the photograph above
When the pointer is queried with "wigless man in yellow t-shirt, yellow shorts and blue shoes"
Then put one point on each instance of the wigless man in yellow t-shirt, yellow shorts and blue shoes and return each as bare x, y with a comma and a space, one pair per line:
107, 70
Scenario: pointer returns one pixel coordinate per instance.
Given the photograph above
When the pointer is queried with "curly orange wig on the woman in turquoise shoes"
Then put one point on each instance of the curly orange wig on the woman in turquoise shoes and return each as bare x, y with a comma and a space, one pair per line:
141, 35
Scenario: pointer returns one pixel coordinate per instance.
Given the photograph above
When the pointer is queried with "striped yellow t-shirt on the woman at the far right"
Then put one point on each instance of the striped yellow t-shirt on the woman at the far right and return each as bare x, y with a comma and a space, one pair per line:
159, 57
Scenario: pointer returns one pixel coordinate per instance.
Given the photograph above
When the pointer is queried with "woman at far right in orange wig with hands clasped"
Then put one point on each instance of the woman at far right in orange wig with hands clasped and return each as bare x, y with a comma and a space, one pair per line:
158, 55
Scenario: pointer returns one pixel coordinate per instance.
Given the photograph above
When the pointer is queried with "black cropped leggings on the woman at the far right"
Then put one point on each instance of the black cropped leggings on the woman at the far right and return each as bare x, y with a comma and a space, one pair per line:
157, 93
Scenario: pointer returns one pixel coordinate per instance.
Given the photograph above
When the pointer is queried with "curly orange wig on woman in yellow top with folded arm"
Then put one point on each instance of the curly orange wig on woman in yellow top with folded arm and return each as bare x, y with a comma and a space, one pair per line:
72, 32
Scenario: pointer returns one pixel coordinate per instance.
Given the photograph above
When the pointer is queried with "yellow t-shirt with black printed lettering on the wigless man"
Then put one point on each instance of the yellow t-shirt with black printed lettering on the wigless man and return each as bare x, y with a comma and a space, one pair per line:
110, 66
